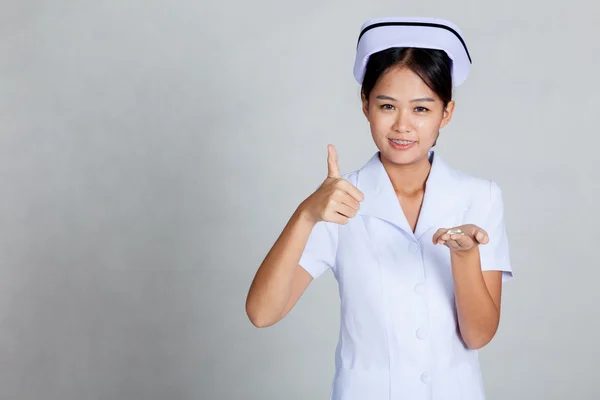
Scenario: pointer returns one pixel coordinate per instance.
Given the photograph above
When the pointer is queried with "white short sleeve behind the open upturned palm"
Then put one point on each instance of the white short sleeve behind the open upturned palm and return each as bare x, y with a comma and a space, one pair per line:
495, 255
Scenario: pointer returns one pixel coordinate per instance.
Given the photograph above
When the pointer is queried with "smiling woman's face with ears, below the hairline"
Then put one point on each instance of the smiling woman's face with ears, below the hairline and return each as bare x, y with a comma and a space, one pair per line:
405, 116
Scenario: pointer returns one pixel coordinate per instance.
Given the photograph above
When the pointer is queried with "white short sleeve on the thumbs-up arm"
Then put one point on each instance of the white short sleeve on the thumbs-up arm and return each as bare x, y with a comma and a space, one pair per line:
320, 251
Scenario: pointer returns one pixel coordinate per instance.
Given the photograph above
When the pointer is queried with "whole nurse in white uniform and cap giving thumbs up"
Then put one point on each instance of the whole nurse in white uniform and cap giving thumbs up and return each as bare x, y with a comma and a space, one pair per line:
419, 250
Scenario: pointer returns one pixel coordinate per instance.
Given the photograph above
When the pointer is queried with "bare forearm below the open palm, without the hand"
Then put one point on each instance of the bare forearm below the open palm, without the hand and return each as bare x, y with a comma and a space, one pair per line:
478, 315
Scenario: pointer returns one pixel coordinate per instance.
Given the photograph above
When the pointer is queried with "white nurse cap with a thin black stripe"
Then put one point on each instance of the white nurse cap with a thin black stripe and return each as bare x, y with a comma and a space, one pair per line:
430, 33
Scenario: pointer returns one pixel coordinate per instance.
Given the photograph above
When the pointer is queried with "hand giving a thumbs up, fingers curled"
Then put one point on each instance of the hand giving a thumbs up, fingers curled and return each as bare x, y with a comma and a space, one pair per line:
336, 200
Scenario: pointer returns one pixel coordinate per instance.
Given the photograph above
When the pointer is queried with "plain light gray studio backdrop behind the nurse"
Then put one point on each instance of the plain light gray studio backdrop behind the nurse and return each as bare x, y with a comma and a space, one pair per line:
152, 151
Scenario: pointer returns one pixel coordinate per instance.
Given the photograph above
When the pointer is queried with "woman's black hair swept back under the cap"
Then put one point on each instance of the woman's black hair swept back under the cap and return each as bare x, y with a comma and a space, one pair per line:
433, 66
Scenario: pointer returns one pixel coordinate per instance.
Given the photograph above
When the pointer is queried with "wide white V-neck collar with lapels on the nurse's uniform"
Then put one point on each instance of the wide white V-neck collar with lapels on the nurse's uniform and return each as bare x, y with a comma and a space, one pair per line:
443, 195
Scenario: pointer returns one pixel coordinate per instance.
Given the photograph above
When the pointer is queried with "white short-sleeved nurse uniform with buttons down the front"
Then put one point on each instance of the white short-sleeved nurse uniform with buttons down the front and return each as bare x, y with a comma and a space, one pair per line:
398, 336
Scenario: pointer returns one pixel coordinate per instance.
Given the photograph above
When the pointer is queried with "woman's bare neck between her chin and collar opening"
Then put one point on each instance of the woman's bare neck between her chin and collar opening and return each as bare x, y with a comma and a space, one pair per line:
408, 180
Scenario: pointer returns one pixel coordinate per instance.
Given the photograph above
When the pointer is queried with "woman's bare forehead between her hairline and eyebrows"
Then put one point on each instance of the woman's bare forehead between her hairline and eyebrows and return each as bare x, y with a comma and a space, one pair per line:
402, 82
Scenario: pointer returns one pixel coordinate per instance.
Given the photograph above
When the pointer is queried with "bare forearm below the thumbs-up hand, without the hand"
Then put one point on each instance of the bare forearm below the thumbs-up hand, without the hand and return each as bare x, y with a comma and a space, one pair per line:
272, 285
